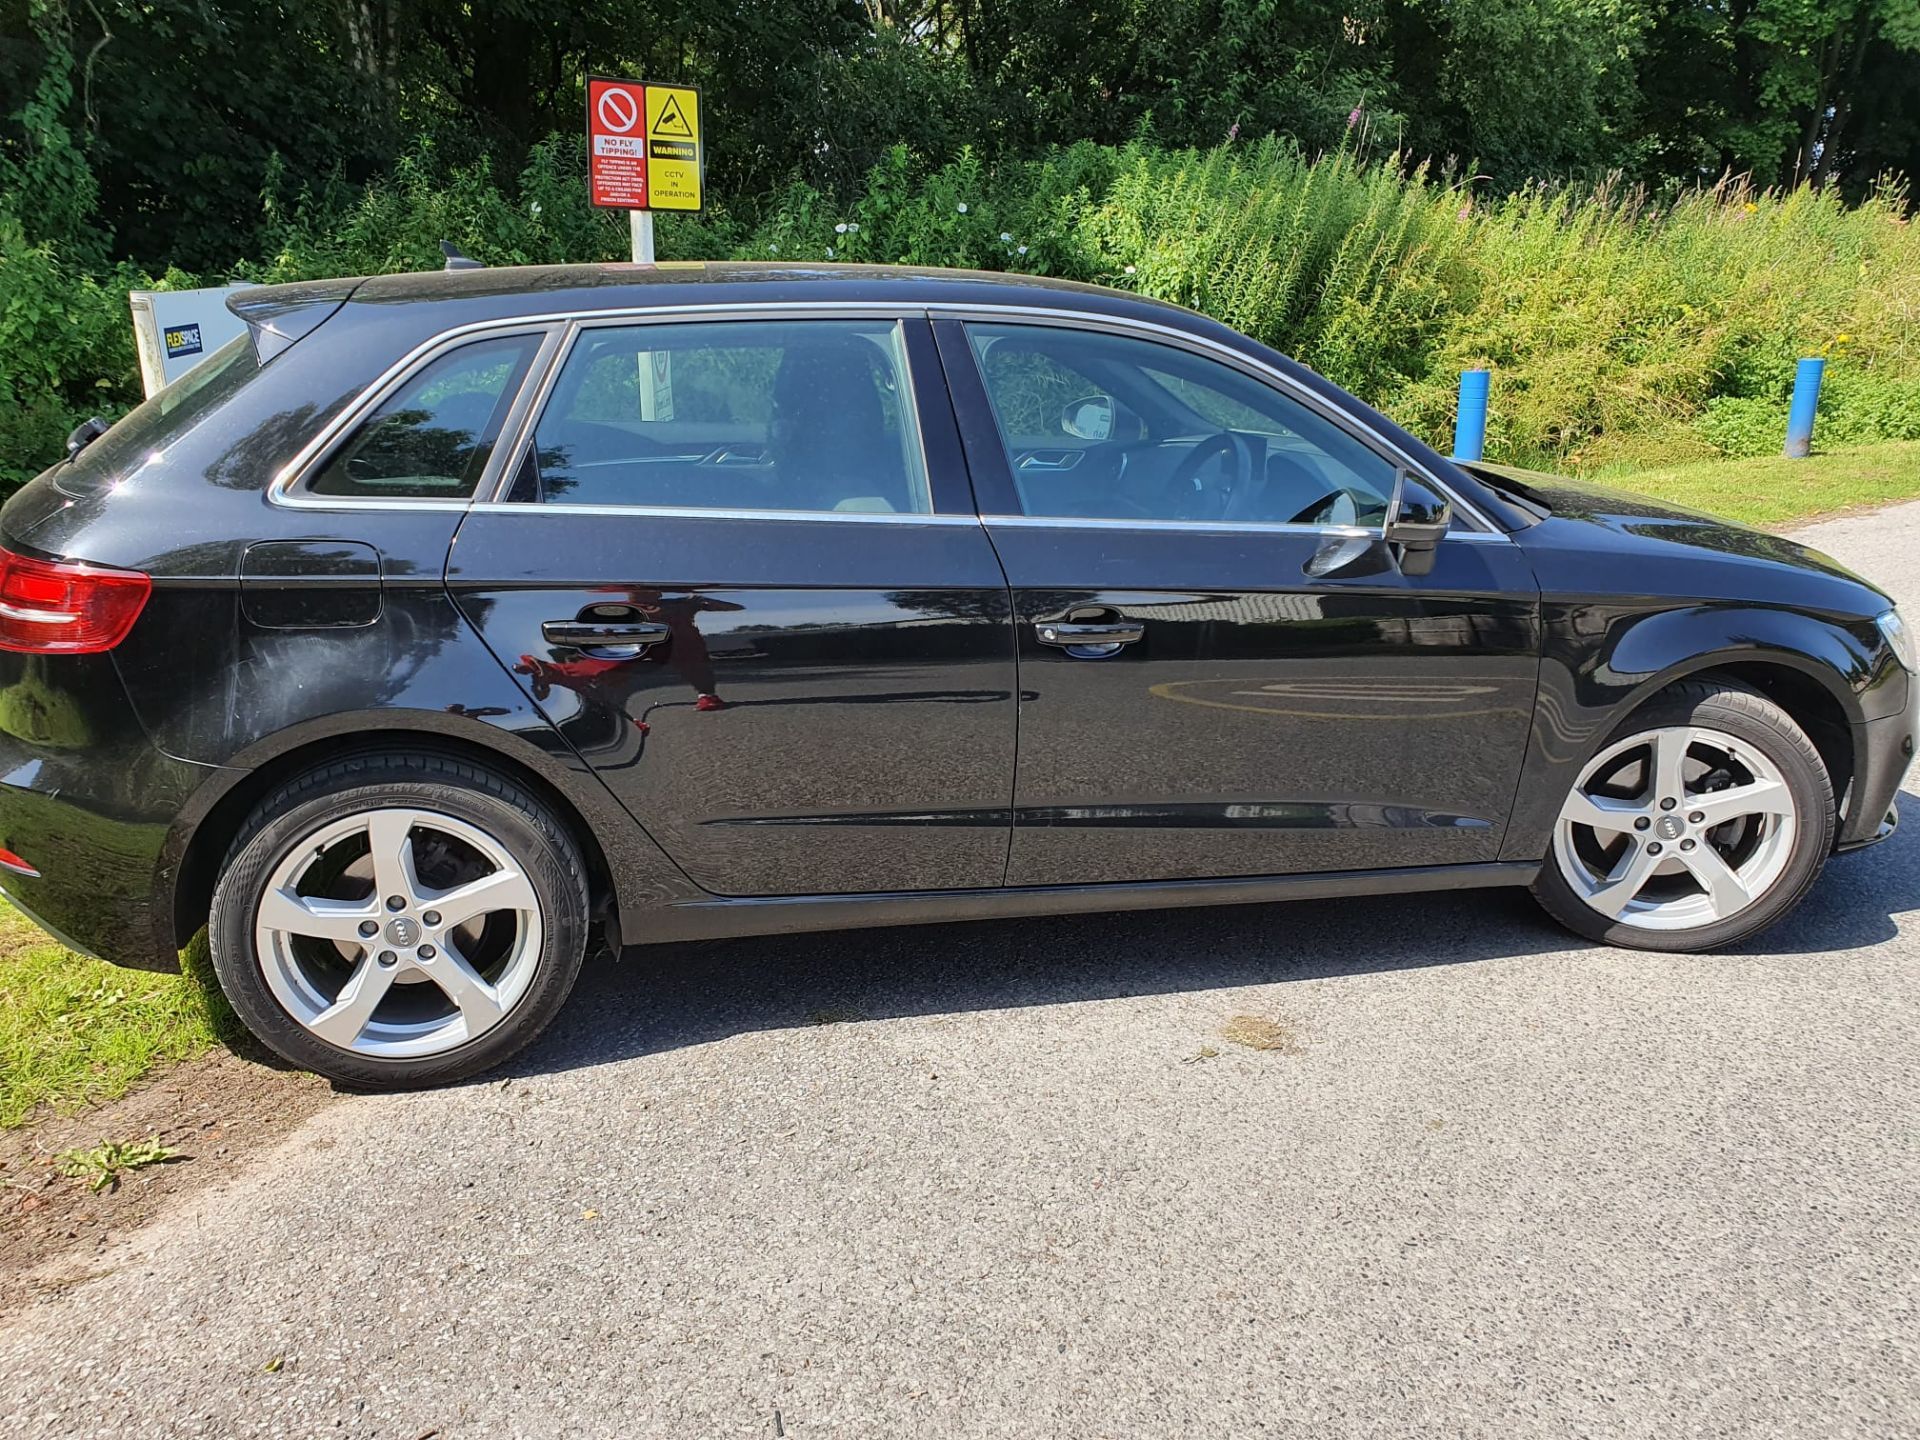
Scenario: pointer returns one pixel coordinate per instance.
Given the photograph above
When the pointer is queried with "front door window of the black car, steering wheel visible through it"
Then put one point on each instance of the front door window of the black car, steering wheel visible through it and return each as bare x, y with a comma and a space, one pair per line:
1111, 427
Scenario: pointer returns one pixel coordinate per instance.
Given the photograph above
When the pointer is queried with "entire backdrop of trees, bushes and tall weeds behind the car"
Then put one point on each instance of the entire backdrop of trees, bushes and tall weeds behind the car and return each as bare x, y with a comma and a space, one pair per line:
1389, 193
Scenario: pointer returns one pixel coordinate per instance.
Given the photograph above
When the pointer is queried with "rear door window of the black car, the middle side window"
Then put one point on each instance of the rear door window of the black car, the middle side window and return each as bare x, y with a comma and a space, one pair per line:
748, 416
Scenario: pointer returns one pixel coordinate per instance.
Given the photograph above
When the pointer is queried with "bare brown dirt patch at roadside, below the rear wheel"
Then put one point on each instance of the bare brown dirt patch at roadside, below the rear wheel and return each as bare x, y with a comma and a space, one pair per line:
216, 1111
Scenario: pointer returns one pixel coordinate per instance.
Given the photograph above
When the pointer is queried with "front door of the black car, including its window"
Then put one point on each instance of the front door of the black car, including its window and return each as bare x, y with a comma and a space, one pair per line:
1224, 669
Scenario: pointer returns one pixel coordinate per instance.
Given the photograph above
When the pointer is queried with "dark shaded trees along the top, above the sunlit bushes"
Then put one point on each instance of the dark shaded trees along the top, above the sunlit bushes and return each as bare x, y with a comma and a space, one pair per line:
180, 110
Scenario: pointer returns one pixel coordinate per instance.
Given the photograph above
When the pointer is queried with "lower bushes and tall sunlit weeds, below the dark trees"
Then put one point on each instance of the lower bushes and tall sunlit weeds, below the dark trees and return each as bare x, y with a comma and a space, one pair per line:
1616, 327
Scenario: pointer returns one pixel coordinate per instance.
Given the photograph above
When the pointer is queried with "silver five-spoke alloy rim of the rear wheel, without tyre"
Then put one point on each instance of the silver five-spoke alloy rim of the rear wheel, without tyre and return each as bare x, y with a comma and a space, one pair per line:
398, 934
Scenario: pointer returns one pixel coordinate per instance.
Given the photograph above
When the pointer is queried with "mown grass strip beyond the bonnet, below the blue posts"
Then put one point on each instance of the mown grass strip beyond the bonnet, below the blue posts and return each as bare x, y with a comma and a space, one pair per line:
1775, 491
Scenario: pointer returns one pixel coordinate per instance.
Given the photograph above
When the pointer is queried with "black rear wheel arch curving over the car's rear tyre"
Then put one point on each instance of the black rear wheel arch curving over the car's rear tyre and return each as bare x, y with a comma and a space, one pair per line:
201, 840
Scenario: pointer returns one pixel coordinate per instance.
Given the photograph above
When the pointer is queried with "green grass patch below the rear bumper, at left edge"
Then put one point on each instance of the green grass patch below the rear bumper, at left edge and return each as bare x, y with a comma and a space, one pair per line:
78, 1032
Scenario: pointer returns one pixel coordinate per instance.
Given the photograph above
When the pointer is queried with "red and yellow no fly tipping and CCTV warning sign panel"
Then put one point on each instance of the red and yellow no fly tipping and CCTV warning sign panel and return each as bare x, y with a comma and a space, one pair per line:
646, 145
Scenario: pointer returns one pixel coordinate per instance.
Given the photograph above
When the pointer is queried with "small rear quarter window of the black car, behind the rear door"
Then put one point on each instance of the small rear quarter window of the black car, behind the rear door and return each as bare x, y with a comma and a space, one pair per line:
433, 439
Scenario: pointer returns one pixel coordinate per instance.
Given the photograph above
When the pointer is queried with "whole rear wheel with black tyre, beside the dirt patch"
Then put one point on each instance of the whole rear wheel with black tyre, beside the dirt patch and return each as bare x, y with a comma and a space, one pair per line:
400, 921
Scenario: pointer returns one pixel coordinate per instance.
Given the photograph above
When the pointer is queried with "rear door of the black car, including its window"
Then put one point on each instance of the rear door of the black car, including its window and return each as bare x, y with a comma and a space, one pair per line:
738, 564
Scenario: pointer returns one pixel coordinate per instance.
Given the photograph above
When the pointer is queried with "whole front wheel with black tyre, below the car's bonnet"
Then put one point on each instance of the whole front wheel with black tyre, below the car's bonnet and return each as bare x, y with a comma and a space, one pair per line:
1700, 823
